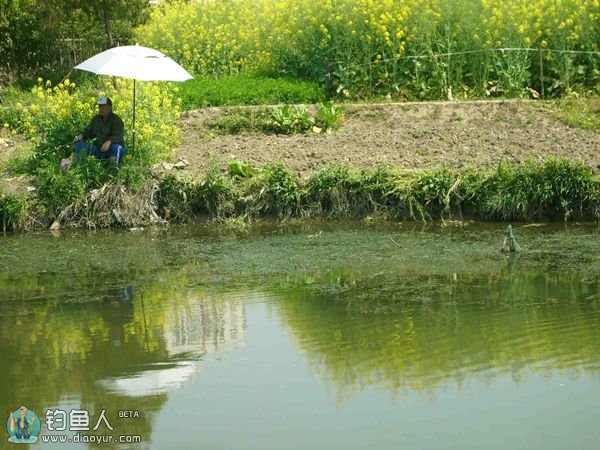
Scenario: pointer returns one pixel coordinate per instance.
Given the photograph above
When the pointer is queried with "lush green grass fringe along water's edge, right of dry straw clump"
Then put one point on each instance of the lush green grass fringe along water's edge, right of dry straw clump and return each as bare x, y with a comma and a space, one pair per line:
552, 190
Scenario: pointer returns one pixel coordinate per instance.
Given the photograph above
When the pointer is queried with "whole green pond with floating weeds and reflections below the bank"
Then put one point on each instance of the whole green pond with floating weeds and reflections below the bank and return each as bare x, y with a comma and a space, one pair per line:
305, 336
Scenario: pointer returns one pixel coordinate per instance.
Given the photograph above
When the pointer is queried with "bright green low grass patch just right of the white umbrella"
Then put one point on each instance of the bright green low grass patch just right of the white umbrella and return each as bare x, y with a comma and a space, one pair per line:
247, 89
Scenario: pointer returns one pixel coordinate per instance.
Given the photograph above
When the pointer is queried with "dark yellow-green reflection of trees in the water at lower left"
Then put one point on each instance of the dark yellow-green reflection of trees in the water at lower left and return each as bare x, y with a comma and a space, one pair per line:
56, 353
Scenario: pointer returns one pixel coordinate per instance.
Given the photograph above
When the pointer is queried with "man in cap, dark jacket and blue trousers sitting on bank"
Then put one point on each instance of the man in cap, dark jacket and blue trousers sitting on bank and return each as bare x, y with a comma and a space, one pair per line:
106, 129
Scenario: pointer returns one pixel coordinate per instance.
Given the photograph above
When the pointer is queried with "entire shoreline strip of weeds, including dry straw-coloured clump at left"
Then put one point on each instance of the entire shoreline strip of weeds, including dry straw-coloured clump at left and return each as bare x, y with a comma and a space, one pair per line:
545, 191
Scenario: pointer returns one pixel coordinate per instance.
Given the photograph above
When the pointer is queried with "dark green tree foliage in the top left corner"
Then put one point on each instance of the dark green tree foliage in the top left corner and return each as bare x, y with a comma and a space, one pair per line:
44, 36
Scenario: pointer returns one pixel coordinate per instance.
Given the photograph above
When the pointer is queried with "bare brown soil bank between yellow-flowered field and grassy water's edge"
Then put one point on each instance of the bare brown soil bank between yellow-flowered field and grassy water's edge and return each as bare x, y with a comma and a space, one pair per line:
407, 135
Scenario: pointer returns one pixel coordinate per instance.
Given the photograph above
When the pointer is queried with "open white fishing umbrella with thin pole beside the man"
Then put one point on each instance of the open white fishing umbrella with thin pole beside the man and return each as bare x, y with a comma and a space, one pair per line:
138, 63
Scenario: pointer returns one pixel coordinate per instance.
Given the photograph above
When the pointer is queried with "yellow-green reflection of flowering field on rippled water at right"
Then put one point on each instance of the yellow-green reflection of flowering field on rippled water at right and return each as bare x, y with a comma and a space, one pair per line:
444, 328
